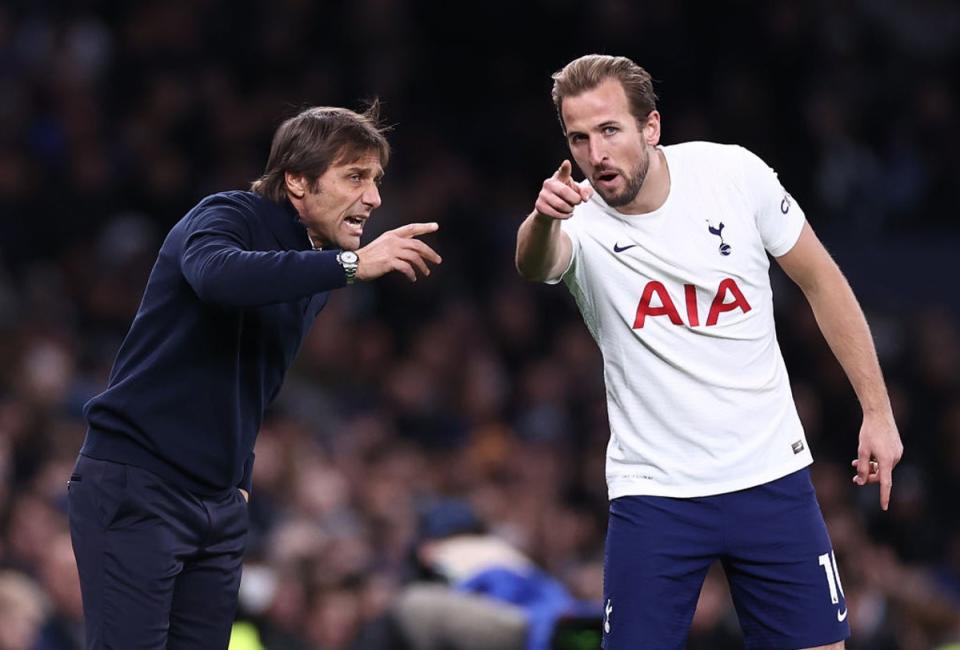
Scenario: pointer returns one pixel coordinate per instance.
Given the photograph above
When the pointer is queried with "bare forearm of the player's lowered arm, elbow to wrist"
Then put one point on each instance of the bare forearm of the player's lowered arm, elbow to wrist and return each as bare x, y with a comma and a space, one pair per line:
845, 329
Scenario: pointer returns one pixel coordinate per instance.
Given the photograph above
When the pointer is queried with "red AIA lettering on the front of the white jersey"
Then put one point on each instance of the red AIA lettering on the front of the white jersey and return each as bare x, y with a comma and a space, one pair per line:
728, 297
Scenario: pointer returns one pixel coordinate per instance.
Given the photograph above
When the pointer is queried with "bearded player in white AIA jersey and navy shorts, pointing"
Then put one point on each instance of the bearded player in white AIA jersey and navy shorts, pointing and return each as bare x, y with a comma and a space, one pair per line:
666, 251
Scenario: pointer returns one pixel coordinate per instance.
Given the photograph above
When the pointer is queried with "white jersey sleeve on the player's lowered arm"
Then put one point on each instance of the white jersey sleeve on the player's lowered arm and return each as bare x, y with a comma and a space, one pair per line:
778, 217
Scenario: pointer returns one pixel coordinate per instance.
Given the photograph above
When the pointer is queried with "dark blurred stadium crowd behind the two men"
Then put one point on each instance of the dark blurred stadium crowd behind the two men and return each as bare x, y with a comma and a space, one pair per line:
470, 387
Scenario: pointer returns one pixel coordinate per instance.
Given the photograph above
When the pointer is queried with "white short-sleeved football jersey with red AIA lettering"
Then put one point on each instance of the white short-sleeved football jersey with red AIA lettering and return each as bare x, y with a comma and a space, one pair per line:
680, 303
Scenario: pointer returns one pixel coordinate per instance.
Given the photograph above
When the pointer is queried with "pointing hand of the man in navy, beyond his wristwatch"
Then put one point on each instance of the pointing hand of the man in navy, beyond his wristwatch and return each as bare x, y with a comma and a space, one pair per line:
398, 250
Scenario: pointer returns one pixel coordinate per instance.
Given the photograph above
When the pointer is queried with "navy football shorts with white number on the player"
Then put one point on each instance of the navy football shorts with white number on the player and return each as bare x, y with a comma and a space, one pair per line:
775, 551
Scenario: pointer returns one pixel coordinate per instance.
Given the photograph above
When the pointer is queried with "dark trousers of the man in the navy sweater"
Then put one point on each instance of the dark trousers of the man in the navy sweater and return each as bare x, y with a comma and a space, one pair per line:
159, 566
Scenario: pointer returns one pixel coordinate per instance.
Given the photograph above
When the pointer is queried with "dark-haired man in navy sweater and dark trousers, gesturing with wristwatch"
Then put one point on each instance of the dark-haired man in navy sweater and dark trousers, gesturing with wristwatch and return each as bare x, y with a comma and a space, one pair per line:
158, 496
